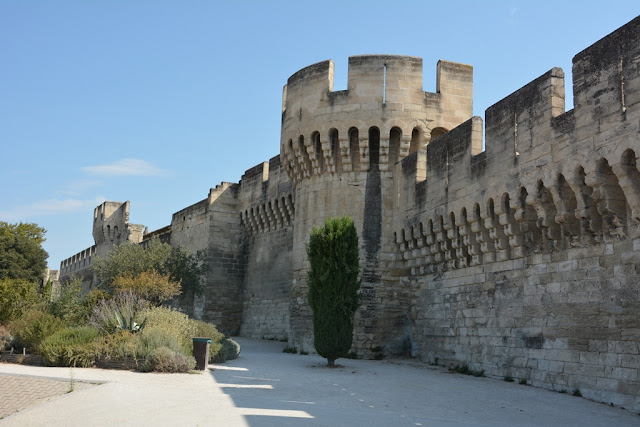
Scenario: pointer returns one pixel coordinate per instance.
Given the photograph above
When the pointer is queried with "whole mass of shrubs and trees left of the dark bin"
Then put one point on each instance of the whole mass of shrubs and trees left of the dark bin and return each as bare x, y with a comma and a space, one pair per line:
122, 324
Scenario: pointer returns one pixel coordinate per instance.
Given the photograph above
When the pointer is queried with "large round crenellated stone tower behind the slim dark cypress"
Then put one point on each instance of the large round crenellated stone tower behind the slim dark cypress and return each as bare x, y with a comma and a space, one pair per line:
341, 151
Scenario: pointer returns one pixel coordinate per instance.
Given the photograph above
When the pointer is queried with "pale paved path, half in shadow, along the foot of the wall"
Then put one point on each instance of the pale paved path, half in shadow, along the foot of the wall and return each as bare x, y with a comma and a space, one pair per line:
267, 387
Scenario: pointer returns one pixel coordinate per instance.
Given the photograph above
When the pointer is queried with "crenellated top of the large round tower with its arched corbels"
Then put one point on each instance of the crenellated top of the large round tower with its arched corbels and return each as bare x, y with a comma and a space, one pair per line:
329, 132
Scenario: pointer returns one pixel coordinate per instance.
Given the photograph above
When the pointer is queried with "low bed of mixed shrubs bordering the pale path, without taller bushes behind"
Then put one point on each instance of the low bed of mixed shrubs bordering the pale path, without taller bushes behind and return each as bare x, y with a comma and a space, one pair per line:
119, 332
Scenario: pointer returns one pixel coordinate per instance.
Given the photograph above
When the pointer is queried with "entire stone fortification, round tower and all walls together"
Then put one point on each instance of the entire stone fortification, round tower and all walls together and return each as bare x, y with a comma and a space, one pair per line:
521, 260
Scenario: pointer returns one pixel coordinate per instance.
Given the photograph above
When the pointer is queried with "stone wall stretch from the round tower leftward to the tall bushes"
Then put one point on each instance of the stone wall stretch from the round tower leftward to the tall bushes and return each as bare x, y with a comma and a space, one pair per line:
246, 231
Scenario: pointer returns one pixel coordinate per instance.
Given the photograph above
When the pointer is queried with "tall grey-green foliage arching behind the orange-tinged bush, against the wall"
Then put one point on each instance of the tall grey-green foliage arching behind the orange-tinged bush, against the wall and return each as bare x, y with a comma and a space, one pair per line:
131, 259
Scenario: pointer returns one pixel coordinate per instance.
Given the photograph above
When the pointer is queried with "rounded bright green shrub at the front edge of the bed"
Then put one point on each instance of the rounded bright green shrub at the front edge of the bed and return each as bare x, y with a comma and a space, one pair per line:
70, 347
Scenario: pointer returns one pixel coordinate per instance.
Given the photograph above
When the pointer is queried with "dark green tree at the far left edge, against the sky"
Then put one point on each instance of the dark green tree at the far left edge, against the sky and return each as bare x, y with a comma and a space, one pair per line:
21, 252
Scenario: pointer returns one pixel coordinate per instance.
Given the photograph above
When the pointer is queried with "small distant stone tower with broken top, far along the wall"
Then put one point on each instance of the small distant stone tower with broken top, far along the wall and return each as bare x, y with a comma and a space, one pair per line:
111, 227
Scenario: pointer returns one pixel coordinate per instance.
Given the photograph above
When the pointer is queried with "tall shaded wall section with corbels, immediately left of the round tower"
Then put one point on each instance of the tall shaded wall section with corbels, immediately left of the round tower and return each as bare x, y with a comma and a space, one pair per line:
267, 213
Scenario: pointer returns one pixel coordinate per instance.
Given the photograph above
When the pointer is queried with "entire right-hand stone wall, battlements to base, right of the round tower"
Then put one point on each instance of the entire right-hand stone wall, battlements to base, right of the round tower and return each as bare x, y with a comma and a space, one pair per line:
523, 259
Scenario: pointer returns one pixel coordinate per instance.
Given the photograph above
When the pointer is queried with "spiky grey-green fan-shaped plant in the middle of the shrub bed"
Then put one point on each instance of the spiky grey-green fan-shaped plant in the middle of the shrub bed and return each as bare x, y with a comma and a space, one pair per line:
123, 311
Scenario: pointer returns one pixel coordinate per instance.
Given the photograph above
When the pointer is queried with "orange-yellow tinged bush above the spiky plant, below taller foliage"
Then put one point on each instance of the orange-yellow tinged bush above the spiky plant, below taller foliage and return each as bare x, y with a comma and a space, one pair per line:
149, 285
